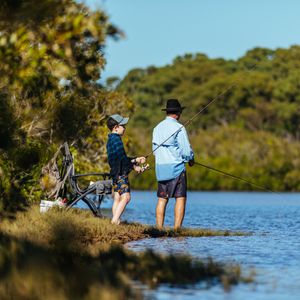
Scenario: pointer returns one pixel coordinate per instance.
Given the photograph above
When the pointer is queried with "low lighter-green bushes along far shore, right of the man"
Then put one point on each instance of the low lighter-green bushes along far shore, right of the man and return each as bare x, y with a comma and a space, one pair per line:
259, 157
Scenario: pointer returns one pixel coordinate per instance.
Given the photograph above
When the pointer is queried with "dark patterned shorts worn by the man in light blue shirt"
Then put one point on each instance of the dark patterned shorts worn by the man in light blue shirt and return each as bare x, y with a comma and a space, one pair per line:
173, 188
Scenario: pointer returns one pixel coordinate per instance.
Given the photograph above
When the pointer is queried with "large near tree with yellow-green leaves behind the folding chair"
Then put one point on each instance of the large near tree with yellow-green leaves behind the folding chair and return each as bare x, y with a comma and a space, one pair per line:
51, 57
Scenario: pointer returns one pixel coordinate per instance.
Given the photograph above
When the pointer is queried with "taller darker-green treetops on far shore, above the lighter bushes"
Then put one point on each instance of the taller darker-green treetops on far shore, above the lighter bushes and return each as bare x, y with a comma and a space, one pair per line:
265, 86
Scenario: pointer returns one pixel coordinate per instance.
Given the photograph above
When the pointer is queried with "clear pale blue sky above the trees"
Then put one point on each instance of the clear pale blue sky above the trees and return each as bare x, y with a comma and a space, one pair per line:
159, 30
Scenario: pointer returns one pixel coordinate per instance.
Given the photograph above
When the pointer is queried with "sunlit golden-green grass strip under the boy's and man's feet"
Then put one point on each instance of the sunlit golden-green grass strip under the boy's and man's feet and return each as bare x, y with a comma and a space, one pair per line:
82, 232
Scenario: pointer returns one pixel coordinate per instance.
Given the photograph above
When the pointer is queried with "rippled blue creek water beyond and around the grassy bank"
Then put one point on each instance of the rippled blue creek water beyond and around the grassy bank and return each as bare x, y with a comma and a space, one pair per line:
273, 249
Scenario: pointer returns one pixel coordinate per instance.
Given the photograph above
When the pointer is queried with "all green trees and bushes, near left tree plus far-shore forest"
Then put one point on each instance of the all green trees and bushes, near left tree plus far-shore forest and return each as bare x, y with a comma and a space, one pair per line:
51, 60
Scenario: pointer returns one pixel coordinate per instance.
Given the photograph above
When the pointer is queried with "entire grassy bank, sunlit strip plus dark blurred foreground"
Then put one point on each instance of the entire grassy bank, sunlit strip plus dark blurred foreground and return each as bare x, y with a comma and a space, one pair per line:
72, 255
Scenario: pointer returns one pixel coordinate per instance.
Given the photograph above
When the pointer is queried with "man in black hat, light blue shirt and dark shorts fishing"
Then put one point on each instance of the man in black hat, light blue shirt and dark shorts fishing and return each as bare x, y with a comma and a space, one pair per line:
170, 159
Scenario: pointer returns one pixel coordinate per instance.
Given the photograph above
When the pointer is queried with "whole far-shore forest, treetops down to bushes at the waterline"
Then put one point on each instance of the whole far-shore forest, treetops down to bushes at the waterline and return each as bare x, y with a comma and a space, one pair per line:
252, 128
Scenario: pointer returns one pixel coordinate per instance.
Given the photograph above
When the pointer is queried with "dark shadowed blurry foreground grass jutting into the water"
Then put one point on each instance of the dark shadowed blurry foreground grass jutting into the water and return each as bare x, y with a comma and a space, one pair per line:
29, 271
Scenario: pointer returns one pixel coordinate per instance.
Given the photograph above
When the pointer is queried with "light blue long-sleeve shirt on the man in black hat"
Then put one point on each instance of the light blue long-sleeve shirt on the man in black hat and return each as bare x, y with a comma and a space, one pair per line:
171, 157
